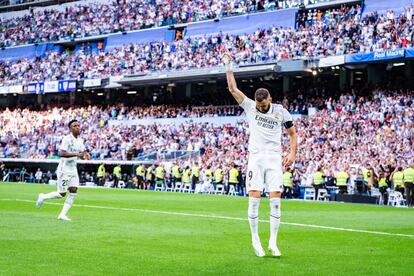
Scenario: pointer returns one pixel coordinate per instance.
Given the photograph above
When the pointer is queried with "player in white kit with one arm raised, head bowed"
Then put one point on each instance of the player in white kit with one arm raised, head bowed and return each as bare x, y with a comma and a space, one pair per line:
264, 170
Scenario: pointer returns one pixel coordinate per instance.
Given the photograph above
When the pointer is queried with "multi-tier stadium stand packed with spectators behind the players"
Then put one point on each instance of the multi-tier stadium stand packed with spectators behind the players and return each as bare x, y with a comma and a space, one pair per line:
146, 80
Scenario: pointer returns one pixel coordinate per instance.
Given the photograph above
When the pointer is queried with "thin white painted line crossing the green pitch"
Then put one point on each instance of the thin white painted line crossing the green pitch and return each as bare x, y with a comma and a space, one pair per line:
218, 217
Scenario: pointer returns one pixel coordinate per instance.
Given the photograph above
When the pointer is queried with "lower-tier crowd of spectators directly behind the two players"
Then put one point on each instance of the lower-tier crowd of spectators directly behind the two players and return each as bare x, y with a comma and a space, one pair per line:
351, 133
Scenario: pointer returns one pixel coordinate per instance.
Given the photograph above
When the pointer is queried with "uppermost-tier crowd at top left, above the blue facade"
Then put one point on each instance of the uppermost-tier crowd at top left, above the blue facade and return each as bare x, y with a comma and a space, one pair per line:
87, 19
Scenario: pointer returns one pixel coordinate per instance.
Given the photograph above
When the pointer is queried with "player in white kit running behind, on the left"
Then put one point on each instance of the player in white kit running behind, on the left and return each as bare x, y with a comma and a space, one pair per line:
71, 149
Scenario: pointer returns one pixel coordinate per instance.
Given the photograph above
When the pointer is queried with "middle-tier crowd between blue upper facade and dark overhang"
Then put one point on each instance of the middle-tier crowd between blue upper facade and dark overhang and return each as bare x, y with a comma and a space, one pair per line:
336, 33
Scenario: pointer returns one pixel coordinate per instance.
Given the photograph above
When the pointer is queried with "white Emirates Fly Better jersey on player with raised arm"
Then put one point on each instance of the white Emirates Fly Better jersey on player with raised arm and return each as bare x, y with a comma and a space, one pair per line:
265, 128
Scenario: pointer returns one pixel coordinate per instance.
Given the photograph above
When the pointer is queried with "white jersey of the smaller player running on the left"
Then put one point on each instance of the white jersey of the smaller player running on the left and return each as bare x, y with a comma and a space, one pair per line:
70, 144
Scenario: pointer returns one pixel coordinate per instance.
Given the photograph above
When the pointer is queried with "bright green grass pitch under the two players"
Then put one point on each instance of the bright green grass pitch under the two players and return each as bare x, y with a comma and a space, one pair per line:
114, 232
